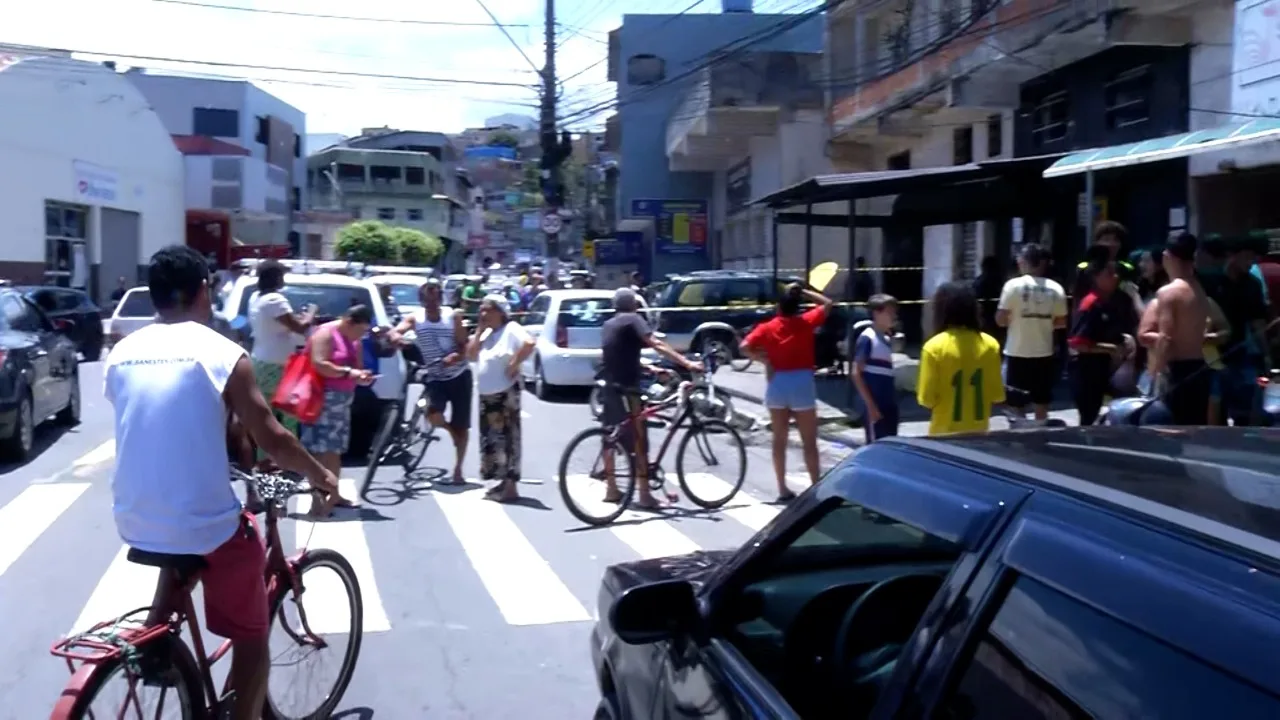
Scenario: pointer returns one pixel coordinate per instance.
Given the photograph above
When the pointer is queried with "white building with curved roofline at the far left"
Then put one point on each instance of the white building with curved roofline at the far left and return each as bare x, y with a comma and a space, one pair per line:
92, 184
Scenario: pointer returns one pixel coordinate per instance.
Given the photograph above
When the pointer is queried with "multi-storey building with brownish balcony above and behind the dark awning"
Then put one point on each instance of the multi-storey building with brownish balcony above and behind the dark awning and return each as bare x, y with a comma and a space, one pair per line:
922, 85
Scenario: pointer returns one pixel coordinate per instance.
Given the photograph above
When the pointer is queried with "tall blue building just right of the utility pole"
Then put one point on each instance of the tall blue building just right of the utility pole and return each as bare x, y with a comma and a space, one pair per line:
659, 65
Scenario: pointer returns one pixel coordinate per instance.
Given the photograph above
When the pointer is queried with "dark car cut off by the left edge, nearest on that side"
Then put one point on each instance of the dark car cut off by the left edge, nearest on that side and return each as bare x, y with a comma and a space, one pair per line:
39, 375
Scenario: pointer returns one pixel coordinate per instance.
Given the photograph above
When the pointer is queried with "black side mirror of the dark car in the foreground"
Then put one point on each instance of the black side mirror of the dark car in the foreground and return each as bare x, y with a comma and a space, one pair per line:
655, 613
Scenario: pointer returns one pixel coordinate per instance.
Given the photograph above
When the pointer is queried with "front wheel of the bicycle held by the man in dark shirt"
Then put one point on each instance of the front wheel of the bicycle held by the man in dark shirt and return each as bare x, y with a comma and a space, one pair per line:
719, 445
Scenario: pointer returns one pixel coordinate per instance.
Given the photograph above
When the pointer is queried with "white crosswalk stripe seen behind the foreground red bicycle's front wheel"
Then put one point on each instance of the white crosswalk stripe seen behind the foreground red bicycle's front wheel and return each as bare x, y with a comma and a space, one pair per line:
327, 610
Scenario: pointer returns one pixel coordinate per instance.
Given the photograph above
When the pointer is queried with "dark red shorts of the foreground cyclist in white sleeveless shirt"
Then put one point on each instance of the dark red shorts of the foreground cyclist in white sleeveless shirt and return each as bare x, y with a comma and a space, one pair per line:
235, 586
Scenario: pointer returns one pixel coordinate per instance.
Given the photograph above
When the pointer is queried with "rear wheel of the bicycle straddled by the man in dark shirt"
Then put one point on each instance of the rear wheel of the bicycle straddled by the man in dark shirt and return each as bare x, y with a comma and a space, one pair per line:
588, 481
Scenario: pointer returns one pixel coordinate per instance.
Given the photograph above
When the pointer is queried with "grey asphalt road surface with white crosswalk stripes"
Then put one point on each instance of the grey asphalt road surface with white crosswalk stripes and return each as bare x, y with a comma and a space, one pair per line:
472, 609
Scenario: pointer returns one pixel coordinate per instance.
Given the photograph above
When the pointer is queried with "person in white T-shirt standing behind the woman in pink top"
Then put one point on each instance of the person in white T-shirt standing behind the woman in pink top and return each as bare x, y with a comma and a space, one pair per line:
277, 331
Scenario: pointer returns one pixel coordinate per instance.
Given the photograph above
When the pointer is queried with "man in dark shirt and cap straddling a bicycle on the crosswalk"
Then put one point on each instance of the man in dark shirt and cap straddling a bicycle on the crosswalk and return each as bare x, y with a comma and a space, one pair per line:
625, 336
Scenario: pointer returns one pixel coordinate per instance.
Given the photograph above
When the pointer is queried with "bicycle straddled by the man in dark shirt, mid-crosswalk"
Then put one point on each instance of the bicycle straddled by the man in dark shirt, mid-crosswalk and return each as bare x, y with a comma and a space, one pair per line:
715, 443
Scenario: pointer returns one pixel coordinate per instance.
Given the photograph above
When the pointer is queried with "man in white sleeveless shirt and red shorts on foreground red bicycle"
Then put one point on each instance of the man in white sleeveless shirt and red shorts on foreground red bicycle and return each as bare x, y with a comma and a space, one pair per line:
172, 386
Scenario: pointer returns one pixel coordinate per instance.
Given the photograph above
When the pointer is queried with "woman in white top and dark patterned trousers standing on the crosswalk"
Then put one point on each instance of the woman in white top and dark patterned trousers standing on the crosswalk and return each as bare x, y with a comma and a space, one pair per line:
497, 350
